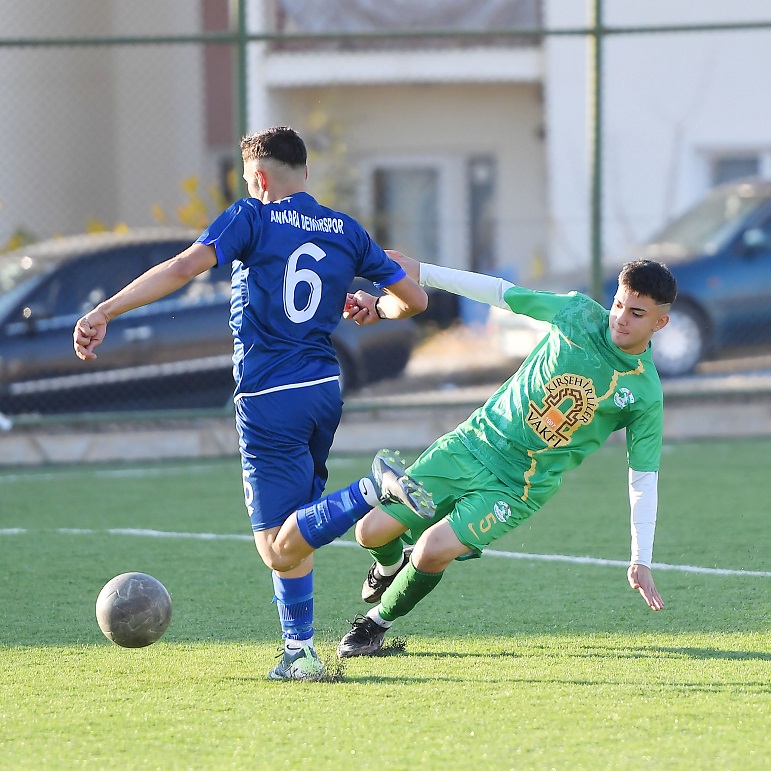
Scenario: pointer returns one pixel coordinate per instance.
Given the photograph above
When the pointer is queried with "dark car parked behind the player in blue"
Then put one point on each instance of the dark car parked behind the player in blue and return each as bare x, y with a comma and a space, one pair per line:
174, 353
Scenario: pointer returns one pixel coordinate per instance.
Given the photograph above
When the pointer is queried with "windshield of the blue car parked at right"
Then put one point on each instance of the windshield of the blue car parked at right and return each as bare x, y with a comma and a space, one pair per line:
705, 228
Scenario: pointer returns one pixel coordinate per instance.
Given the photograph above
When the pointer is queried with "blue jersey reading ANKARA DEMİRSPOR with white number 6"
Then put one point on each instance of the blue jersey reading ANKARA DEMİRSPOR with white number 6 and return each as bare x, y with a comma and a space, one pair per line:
293, 262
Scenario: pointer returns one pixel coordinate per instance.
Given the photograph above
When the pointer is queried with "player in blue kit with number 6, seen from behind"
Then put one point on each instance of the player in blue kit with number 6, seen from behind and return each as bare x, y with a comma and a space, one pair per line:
293, 262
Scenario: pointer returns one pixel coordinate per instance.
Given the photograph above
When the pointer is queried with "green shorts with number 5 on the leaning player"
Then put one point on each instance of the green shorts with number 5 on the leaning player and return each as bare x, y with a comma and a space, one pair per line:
478, 506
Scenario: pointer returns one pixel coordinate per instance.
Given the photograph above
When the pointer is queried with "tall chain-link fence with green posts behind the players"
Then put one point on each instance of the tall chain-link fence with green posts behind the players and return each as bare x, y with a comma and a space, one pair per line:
455, 132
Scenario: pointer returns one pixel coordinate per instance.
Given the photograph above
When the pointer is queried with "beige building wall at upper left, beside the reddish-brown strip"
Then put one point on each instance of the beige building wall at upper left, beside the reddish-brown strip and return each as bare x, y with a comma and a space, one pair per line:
97, 133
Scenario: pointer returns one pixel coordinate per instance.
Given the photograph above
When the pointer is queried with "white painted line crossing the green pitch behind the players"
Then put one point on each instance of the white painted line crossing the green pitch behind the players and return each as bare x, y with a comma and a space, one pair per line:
512, 555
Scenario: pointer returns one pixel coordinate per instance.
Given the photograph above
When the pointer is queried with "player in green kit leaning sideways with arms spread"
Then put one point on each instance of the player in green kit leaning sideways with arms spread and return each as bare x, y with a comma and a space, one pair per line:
590, 376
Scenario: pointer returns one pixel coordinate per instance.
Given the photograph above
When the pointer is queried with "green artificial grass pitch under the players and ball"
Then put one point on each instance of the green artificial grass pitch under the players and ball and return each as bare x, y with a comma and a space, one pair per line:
512, 663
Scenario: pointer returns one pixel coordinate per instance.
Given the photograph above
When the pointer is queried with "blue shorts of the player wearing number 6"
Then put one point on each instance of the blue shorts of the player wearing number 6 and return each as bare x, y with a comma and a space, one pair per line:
285, 438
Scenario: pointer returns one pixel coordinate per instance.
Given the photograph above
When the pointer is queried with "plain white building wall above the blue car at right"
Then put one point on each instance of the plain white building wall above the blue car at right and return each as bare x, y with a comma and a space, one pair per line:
672, 102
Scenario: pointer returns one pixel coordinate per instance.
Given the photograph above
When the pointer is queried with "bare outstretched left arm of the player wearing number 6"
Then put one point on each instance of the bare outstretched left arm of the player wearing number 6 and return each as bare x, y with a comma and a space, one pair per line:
157, 282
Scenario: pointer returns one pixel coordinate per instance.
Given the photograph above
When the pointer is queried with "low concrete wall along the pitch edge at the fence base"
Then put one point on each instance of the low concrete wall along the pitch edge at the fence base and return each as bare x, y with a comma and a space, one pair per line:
365, 431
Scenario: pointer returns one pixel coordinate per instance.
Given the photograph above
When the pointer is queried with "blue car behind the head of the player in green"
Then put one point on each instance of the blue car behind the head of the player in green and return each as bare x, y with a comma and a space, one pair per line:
720, 253
